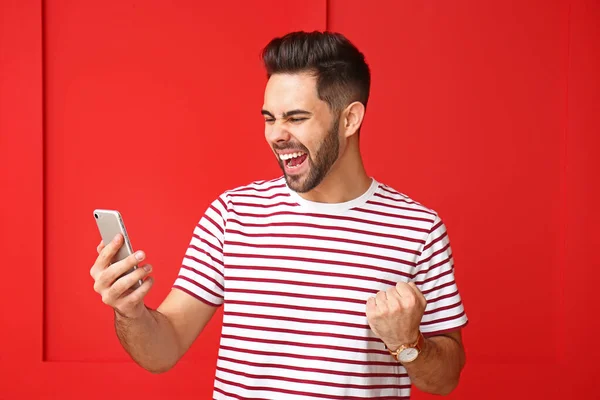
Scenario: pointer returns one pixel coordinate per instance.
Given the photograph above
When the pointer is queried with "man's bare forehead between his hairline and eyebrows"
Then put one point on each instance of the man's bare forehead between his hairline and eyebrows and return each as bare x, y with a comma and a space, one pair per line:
286, 92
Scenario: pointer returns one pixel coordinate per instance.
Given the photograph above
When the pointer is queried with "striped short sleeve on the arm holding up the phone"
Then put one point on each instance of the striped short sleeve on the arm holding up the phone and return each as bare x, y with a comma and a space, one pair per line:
201, 273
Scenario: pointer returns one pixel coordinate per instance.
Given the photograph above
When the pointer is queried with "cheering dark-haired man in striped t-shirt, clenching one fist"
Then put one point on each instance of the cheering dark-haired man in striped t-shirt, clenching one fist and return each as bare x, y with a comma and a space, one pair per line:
334, 285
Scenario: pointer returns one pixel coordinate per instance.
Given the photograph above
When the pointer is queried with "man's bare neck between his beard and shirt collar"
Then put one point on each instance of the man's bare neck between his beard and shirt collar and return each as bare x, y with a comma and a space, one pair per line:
346, 180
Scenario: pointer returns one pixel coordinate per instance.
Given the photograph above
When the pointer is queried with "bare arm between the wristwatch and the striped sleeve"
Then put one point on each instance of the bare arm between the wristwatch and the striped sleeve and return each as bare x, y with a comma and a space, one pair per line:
438, 367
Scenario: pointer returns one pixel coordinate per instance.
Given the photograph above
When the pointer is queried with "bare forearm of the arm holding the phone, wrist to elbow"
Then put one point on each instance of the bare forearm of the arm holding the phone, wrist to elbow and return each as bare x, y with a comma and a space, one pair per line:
149, 339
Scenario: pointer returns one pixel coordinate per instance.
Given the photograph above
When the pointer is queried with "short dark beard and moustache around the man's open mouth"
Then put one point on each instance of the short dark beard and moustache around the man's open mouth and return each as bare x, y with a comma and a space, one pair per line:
324, 158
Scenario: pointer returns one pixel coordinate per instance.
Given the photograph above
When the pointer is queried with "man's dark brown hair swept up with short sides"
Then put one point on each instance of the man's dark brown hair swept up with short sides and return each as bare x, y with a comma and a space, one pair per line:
342, 74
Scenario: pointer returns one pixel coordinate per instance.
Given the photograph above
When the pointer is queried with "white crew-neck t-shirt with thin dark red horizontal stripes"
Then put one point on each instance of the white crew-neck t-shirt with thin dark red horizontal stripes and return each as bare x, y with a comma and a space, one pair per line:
294, 277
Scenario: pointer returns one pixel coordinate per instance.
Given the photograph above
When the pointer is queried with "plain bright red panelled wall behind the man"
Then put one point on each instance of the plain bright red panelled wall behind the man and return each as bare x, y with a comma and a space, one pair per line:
488, 112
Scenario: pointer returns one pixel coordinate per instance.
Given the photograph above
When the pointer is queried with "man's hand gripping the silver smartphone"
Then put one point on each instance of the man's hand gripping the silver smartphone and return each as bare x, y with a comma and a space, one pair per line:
120, 292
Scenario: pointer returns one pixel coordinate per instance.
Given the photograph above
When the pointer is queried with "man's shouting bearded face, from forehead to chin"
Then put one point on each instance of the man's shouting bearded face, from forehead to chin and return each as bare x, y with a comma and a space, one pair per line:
300, 129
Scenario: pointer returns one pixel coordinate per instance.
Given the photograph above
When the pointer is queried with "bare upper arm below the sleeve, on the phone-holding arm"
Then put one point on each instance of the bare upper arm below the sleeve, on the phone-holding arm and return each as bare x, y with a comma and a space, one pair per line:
187, 315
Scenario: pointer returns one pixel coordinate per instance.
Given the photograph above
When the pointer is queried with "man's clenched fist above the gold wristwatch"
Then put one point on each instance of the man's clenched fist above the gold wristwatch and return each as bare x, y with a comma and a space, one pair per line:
395, 315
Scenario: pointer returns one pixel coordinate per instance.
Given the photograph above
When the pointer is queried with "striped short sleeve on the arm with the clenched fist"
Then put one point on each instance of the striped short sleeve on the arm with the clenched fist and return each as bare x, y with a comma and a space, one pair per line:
435, 279
